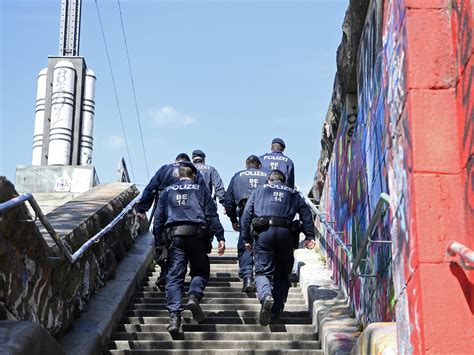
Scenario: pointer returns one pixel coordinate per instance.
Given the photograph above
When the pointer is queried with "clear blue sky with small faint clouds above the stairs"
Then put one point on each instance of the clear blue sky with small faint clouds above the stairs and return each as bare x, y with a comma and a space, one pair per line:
222, 76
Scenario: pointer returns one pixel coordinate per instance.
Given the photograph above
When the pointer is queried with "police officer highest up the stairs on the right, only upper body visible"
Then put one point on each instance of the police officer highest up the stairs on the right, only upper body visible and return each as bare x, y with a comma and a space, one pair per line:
276, 160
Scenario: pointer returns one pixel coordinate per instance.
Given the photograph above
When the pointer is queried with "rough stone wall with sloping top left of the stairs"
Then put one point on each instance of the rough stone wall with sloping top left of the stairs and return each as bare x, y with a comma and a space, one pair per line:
35, 286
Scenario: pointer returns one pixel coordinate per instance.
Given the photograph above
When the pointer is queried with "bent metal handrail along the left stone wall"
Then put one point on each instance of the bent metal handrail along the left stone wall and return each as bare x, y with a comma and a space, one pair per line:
71, 258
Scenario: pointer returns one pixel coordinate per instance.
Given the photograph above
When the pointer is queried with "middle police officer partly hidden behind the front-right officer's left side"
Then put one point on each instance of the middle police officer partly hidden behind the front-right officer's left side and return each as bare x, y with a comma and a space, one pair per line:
242, 184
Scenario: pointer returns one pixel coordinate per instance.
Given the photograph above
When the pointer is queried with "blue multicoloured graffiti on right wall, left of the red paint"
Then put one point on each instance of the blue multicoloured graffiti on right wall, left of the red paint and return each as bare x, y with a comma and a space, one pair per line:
357, 176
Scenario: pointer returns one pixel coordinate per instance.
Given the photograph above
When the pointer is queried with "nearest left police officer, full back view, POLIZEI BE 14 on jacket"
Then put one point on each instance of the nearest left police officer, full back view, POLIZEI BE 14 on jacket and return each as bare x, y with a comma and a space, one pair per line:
187, 216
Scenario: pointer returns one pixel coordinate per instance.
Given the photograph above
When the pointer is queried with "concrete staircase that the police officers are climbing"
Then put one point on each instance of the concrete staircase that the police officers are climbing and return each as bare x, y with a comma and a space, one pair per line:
231, 325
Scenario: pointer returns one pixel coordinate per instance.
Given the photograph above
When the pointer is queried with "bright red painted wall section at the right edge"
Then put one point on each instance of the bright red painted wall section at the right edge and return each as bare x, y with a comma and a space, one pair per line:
439, 109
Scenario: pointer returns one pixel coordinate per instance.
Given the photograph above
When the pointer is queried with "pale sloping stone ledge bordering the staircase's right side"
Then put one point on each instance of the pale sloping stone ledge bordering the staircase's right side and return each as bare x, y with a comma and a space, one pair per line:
329, 309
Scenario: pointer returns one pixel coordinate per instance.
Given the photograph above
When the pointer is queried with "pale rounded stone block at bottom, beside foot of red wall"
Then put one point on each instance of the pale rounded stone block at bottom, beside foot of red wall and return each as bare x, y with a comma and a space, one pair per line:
378, 339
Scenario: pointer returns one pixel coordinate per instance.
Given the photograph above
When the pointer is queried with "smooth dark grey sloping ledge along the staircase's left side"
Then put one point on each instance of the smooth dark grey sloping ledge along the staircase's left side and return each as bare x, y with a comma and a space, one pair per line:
92, 330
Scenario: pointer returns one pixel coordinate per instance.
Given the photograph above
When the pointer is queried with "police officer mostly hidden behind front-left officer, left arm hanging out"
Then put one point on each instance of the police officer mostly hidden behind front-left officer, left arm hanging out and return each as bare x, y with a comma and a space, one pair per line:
165, 176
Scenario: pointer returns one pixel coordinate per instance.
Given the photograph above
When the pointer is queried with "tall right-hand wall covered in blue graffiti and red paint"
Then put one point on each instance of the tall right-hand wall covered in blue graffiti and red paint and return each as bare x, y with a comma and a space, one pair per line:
413, 139
